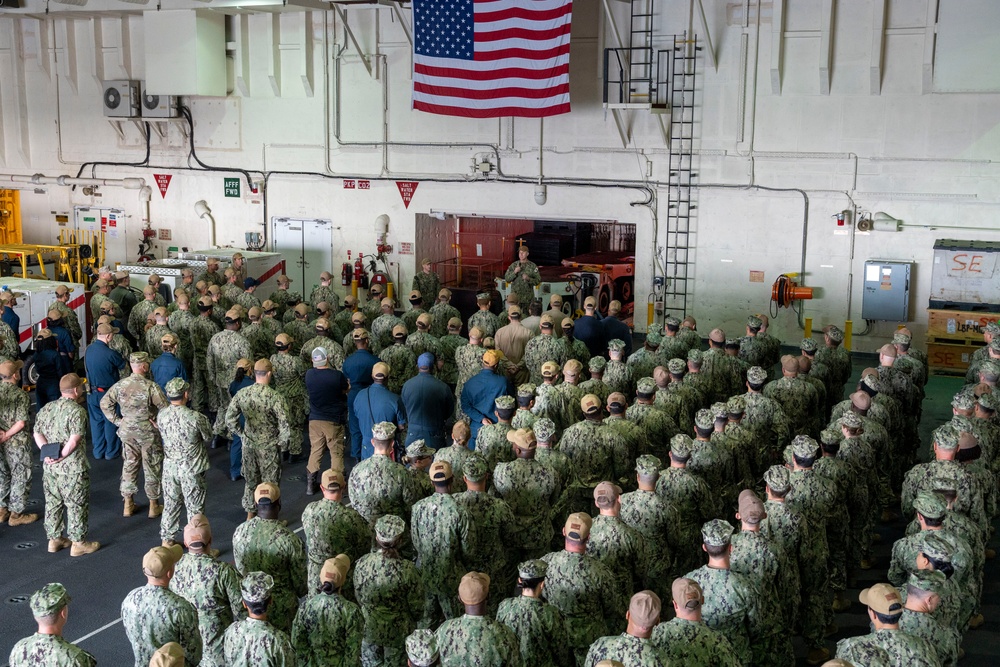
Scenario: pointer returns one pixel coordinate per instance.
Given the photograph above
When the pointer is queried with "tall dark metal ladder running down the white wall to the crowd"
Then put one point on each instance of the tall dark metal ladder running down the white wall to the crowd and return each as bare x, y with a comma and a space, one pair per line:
677, 90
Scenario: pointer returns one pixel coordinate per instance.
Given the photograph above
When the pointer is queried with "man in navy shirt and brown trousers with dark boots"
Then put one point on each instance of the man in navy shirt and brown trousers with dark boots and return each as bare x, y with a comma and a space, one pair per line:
327, 388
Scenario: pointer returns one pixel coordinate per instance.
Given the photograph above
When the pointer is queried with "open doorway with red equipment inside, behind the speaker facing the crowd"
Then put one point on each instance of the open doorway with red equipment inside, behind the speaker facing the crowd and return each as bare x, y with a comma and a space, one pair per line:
576, 258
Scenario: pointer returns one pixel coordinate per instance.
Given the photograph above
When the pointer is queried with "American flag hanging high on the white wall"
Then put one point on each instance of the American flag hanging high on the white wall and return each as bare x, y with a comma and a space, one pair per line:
491, 58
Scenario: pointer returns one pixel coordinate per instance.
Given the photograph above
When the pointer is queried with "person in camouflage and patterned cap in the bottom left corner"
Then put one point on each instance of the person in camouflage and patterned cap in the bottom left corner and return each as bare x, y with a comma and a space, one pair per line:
47, 648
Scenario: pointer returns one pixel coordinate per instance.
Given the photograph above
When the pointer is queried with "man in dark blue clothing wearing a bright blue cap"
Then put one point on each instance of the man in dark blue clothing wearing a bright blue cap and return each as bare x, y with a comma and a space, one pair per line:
428, 403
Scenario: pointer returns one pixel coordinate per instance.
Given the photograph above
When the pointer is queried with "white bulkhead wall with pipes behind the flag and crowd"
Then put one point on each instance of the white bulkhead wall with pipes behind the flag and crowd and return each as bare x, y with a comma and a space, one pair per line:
857, 111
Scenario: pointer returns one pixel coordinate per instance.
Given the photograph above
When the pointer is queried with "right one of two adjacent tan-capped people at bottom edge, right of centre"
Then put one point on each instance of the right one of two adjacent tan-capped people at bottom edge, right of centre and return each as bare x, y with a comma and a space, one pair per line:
686, 639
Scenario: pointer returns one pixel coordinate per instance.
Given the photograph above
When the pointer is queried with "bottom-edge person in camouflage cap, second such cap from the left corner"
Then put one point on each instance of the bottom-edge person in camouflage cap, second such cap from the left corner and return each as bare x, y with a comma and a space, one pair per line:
255, 642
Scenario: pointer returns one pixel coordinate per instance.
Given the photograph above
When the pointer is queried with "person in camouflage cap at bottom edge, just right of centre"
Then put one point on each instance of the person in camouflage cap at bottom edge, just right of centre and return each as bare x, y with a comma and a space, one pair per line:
538, 625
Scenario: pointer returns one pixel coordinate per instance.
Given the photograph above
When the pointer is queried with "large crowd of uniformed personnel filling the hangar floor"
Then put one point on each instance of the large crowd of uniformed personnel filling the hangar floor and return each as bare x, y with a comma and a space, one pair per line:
531, 495
